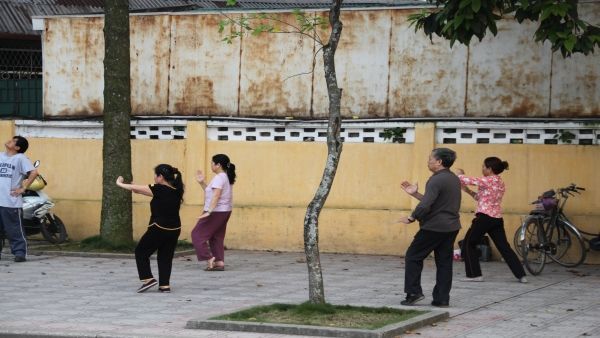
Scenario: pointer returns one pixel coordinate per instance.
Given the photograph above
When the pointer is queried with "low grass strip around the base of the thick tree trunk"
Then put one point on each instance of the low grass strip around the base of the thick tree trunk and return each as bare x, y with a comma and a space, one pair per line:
97, 244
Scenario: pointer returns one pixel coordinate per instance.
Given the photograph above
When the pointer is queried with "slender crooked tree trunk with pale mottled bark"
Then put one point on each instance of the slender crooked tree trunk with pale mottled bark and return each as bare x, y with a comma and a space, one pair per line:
334, 149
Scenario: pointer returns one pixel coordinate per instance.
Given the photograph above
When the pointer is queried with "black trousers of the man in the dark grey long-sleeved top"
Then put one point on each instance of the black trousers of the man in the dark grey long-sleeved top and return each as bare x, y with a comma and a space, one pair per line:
442, 245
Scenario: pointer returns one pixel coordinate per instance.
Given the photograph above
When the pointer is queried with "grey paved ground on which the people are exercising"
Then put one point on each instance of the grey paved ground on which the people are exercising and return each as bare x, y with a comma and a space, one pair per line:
95, 297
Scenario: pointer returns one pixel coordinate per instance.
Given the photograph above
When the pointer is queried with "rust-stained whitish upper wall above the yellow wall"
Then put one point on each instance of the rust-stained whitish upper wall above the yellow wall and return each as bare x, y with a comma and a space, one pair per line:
180, 66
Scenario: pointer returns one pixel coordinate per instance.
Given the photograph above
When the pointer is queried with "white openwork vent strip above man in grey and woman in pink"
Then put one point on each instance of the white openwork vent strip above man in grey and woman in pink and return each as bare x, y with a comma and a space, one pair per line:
517, 133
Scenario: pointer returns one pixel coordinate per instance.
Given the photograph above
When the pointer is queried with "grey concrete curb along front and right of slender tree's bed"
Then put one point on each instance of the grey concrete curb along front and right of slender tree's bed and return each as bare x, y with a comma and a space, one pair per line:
388, 331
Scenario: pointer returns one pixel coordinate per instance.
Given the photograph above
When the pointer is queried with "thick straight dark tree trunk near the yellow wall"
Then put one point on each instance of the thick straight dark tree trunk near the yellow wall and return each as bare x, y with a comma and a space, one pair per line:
116, 151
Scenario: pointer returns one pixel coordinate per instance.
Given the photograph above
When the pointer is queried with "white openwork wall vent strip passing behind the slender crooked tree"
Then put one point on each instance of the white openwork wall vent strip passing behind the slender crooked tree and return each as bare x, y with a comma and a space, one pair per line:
351, 132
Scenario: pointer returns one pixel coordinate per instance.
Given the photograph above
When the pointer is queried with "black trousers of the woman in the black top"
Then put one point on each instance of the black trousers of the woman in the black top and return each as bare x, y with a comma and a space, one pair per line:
164, 243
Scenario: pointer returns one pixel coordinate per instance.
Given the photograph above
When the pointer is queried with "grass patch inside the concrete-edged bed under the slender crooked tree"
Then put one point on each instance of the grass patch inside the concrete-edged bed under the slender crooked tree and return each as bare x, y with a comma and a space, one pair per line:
343, 316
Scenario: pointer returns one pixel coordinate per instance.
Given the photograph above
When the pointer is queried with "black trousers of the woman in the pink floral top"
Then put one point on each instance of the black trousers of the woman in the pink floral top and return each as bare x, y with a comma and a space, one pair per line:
494, 227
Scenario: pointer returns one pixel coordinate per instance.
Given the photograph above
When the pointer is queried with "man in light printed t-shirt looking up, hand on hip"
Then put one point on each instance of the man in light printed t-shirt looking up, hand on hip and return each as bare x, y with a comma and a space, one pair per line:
14, 167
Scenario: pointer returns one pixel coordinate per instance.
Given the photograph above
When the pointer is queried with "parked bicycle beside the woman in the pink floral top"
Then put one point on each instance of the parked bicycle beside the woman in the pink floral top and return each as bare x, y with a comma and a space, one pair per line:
547, 232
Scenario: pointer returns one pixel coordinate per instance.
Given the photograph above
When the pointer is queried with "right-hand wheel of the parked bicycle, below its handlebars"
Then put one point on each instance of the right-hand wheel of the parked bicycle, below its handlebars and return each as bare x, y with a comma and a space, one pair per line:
567, 246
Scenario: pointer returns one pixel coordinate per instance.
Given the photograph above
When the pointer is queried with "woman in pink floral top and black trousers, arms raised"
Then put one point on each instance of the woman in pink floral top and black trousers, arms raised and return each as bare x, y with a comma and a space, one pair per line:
488, 220
